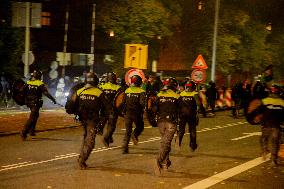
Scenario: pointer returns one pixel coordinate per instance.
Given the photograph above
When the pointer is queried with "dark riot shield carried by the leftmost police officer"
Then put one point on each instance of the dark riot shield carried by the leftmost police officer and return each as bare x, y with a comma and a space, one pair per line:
18, 93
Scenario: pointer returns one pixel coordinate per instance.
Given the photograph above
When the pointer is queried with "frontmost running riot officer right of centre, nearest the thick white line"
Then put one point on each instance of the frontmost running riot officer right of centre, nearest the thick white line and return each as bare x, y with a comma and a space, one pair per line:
167, 106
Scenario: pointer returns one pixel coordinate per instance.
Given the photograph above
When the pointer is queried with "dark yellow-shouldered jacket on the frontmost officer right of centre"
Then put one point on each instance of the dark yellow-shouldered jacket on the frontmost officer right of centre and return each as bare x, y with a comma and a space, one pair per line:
168, 106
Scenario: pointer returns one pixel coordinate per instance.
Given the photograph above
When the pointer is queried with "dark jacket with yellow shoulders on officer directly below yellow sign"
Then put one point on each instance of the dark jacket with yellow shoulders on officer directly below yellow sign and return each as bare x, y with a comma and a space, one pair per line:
135, 100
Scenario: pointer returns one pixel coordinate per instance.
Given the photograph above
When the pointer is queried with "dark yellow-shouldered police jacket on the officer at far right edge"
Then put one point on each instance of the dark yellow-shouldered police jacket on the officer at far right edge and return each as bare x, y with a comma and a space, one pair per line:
273, 108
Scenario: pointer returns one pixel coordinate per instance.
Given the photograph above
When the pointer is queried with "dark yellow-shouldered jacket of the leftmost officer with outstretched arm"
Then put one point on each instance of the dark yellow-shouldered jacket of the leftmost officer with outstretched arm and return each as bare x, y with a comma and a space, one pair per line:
34, 90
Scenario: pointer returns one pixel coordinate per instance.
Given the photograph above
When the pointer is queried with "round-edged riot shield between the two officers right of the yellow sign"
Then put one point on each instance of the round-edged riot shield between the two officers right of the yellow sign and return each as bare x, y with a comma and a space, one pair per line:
150, 109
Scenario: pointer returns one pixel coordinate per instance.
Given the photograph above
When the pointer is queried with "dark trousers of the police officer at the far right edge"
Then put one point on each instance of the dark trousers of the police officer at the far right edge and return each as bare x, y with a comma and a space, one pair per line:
273, 135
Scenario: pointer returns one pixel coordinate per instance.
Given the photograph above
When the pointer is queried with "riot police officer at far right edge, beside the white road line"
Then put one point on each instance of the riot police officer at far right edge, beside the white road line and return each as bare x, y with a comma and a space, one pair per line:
273, 111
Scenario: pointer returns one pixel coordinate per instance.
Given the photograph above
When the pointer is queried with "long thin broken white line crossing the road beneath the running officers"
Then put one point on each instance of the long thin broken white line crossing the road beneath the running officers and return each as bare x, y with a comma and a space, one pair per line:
99, 149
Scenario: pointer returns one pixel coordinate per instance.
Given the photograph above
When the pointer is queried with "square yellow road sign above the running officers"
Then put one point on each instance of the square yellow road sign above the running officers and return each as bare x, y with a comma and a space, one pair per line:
136, 56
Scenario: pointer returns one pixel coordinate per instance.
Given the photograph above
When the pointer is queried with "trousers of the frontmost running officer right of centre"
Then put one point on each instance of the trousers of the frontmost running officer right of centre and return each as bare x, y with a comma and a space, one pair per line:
167, 131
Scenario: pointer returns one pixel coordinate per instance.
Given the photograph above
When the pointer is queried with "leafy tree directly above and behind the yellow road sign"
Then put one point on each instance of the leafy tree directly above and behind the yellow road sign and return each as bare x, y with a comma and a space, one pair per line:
138, 22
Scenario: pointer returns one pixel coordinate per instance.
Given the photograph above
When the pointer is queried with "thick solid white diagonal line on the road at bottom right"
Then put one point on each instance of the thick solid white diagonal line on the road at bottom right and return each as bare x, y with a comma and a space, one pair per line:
208, 182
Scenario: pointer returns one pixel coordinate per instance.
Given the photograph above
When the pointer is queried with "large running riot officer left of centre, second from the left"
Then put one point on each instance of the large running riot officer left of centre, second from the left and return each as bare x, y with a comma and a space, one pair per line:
91, 102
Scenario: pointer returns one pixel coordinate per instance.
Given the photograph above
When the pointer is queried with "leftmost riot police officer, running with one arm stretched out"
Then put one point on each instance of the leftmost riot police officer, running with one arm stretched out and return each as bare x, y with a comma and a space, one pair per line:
33, 90
